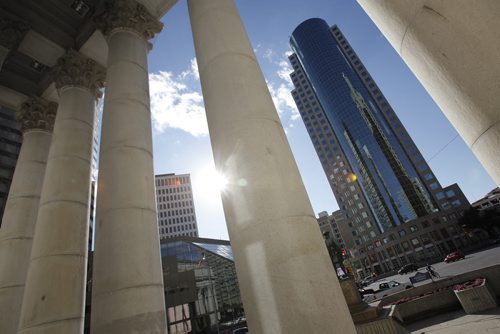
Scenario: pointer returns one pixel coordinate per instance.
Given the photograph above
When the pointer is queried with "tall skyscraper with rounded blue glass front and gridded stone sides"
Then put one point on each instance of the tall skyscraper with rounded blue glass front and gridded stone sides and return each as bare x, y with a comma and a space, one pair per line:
380, 179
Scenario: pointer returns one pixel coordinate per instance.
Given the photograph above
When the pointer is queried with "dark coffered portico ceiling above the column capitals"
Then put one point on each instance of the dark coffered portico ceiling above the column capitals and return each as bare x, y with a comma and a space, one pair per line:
34, 34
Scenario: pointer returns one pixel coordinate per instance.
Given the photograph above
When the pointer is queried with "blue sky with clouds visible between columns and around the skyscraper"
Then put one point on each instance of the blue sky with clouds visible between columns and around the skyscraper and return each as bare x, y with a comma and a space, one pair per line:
181, 142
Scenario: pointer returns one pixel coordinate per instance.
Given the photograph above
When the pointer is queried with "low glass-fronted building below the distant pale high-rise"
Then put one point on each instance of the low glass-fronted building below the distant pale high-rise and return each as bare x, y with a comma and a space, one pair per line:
201, 288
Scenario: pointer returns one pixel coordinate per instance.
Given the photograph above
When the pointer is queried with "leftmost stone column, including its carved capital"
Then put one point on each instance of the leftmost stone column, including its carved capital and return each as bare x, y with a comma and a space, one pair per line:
37, 120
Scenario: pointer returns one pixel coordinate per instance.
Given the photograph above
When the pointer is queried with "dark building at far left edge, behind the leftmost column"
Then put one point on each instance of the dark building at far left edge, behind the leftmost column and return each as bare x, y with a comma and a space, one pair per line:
10, 144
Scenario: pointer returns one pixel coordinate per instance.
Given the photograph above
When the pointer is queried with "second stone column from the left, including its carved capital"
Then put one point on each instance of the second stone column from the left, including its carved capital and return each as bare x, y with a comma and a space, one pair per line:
54, 296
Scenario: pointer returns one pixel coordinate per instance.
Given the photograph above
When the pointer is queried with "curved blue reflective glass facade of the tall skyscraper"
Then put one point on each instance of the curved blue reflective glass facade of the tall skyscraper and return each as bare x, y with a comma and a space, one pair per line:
382, 168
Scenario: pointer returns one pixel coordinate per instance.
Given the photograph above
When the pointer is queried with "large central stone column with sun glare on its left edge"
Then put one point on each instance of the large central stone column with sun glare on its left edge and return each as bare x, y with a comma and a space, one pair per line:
285, 275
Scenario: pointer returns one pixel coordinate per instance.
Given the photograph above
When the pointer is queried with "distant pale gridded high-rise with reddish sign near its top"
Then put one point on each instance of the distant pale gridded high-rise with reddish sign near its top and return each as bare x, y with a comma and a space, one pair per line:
174, 201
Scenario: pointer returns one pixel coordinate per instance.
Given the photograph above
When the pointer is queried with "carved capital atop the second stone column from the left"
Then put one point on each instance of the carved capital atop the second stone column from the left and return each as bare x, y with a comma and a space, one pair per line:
74, 69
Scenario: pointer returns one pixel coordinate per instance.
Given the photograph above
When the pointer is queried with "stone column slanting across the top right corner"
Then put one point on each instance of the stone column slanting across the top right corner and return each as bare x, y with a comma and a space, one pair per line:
453, 48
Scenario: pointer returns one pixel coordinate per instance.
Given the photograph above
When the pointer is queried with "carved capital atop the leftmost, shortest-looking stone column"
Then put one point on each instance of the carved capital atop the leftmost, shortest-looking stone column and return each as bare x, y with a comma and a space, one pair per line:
37, 113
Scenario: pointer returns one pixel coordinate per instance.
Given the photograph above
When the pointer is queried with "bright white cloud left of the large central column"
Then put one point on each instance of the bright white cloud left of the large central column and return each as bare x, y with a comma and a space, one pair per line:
175, 105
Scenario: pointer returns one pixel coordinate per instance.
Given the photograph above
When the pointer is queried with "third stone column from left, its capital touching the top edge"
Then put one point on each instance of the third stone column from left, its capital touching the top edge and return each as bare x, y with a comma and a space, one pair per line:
127, 291
